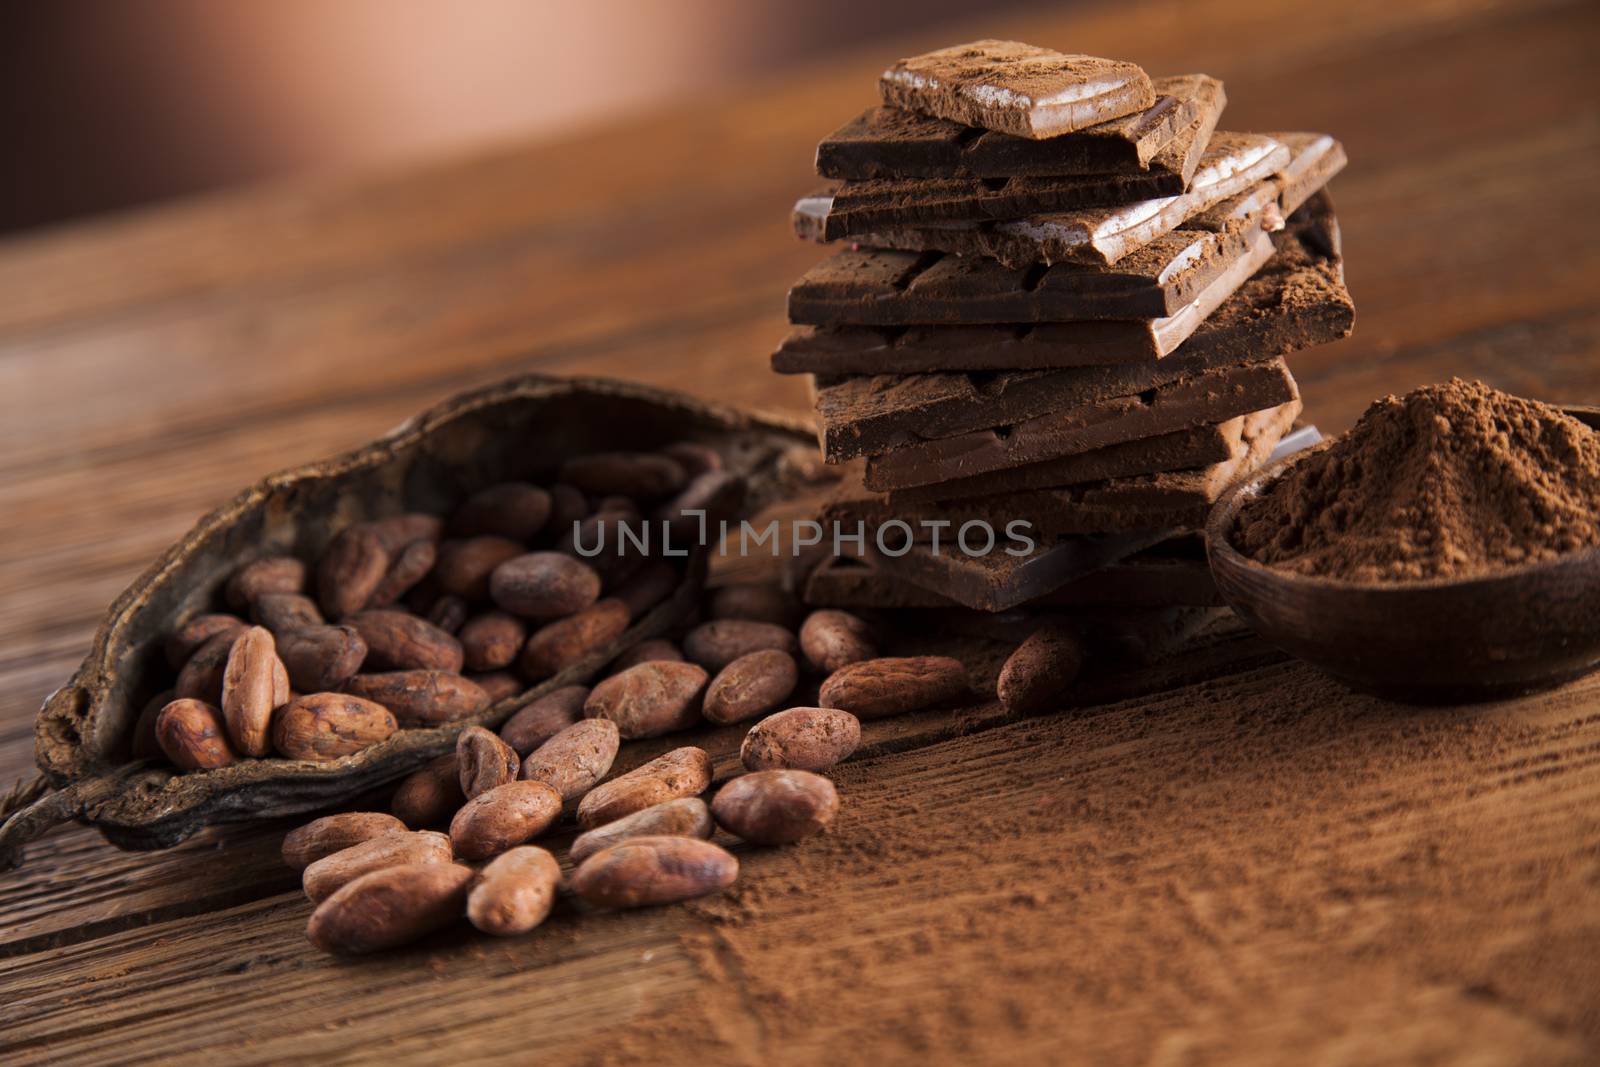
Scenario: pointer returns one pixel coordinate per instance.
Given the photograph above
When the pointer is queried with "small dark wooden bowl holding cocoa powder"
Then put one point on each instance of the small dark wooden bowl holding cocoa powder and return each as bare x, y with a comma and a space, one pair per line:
1426, 642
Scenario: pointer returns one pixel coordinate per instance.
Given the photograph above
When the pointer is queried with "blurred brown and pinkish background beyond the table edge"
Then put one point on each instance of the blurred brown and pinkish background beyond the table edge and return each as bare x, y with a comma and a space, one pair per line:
116, 105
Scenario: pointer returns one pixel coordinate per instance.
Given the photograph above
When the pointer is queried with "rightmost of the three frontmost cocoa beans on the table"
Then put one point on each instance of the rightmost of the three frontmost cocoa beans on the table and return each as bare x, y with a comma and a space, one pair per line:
655, 871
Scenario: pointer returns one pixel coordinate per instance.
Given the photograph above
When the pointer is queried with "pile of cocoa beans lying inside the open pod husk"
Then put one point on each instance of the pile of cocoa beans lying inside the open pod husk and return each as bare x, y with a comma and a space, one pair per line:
420, 621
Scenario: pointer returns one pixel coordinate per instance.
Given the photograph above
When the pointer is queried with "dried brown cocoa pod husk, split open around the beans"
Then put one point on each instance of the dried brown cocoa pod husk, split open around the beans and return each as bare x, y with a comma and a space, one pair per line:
522, 430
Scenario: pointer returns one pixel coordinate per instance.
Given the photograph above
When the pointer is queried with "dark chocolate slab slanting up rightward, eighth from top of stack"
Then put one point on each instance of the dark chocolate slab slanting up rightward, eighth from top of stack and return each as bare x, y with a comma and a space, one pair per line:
1207, 398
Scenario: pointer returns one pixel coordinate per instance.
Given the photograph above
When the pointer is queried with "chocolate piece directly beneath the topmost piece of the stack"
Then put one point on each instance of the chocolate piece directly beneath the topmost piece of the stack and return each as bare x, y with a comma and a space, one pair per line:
895, 143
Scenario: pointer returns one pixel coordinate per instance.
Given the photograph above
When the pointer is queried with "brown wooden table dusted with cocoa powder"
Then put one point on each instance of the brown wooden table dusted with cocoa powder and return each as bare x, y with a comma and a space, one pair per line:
1338, 882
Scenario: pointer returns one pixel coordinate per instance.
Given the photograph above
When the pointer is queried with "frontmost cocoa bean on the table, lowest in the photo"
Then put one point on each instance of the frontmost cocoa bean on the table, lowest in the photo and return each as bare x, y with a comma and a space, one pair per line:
390, 908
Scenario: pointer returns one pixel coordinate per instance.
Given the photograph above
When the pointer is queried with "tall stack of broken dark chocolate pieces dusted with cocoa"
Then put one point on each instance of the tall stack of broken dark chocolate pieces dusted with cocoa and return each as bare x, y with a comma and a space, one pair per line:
1063, 298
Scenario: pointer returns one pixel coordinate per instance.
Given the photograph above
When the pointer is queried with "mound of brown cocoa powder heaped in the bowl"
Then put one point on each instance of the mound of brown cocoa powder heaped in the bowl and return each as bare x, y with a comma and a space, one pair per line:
1446, 482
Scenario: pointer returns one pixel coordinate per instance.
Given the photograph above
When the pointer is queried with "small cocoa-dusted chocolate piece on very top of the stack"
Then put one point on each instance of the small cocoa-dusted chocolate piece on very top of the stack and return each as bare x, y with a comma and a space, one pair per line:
1017, 89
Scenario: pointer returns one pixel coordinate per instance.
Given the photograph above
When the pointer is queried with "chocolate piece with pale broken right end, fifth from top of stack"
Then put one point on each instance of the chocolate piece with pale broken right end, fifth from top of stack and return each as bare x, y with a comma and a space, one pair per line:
871, 287
